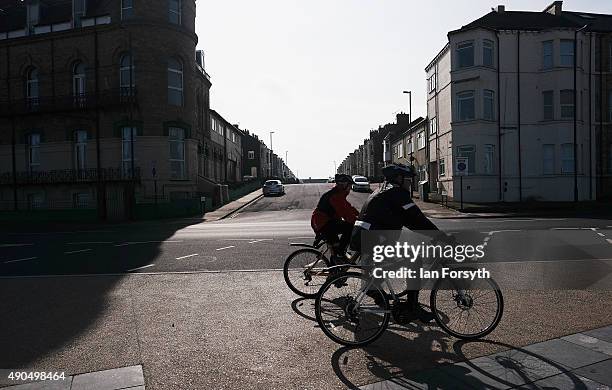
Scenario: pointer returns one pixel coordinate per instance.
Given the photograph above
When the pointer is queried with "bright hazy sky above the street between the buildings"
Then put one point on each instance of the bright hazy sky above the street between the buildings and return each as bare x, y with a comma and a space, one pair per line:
322, 73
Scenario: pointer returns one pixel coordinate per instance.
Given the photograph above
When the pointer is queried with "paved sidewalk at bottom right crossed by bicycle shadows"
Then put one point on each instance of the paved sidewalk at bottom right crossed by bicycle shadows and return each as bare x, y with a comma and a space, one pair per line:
577, 361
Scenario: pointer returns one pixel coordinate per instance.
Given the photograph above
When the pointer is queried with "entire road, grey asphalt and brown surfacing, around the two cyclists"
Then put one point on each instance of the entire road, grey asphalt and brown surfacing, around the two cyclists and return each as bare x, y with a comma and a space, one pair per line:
173, 297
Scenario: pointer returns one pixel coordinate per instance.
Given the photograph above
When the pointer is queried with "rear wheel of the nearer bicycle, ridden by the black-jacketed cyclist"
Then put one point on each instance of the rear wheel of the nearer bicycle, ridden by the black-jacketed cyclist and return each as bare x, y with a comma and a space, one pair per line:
348, 316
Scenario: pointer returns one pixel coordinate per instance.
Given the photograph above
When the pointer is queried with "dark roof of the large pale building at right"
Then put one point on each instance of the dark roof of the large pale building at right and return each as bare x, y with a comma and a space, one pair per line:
538, 21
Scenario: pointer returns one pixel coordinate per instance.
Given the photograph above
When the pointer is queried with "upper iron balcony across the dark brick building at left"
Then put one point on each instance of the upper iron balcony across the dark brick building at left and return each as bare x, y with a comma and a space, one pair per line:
51, 104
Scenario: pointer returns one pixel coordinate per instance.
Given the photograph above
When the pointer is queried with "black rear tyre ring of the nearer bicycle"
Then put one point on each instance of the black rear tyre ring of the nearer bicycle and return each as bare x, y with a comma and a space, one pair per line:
331, 283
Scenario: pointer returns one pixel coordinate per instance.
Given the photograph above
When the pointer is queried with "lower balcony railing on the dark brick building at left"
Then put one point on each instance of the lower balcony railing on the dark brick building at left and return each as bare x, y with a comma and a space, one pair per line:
70, 176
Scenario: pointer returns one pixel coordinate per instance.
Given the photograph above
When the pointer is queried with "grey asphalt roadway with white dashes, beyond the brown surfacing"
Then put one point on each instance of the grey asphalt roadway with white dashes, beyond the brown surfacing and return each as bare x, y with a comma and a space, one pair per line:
257, 238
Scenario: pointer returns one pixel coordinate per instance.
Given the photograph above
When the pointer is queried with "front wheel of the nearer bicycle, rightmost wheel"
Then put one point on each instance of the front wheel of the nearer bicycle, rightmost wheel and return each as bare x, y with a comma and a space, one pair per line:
467, 309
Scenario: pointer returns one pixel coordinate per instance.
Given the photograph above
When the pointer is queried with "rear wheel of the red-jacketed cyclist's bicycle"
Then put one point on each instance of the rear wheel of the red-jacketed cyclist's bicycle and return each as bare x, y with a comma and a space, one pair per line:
305, 271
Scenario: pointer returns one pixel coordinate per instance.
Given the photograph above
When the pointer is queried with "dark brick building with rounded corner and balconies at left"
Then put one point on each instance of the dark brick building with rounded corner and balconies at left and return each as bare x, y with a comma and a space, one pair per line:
104, 105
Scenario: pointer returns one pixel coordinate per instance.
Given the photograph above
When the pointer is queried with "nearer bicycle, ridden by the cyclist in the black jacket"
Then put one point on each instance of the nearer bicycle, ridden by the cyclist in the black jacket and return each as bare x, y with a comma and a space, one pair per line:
363, 313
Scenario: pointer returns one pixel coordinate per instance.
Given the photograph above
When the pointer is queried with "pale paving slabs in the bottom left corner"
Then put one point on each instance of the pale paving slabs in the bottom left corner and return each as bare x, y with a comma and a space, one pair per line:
124, 378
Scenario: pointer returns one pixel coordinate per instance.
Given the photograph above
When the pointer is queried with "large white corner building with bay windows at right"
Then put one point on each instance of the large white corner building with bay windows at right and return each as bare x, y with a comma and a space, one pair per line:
501, 93
